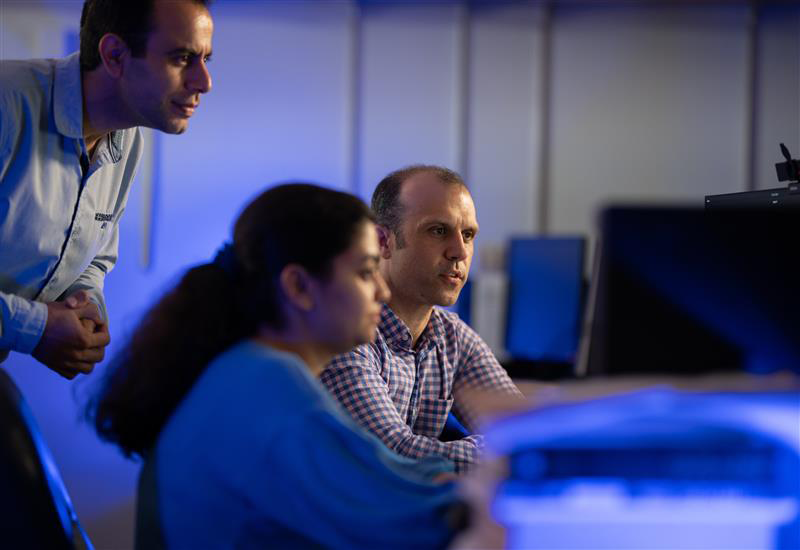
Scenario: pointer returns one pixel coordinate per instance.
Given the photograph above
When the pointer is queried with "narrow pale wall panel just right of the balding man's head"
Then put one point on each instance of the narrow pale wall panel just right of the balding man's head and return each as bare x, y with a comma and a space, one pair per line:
504, 117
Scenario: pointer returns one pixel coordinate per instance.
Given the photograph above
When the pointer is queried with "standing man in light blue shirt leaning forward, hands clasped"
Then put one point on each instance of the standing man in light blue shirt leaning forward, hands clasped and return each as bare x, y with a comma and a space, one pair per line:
69, 148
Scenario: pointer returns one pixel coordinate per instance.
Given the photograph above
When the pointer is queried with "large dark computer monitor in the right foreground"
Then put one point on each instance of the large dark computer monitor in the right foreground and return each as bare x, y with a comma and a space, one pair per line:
686, 291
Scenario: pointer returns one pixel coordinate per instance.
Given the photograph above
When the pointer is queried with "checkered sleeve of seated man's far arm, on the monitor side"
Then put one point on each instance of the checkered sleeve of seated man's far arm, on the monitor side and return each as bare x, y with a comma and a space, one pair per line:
477, 368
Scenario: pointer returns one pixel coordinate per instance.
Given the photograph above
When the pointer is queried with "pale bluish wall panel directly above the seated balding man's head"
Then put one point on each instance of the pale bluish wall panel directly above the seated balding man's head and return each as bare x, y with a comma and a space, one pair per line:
409, 78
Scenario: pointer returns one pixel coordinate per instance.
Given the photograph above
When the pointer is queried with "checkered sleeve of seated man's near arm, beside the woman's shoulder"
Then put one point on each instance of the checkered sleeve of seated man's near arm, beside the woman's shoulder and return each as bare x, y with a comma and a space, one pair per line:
354, 379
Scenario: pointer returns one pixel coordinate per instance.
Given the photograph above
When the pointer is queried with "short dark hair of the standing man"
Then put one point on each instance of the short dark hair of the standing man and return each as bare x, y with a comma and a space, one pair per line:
131, 20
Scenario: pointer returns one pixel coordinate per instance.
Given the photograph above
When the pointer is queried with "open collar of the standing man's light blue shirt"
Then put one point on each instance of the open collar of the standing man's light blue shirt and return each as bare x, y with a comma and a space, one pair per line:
68, 105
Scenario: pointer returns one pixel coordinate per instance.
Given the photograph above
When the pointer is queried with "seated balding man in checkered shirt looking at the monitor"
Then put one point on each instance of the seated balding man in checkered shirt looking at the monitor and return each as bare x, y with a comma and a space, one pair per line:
403, 385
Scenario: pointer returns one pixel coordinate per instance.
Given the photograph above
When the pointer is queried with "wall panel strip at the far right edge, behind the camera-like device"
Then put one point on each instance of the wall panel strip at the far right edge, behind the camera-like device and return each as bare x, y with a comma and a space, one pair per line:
778, 104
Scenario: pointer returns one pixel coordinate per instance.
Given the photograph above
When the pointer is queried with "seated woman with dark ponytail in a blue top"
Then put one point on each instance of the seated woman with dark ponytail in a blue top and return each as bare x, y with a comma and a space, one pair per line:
217, 392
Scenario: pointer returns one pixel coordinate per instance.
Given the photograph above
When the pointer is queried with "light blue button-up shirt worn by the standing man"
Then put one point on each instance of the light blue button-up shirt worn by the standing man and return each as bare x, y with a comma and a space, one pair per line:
59, 210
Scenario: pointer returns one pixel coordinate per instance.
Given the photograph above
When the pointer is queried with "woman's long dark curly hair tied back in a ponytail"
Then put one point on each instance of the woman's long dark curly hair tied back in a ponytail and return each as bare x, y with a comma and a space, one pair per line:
217, 304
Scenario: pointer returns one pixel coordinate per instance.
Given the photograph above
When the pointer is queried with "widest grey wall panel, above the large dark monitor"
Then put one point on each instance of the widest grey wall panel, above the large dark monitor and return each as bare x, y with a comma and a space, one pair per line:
648, 104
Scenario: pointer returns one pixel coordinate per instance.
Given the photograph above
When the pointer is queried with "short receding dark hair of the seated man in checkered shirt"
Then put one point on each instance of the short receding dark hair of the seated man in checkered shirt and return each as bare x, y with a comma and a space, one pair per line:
386, 198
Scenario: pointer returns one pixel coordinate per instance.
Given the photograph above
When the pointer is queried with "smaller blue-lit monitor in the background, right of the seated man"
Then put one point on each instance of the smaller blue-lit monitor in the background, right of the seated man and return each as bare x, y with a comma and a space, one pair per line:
545, 281
